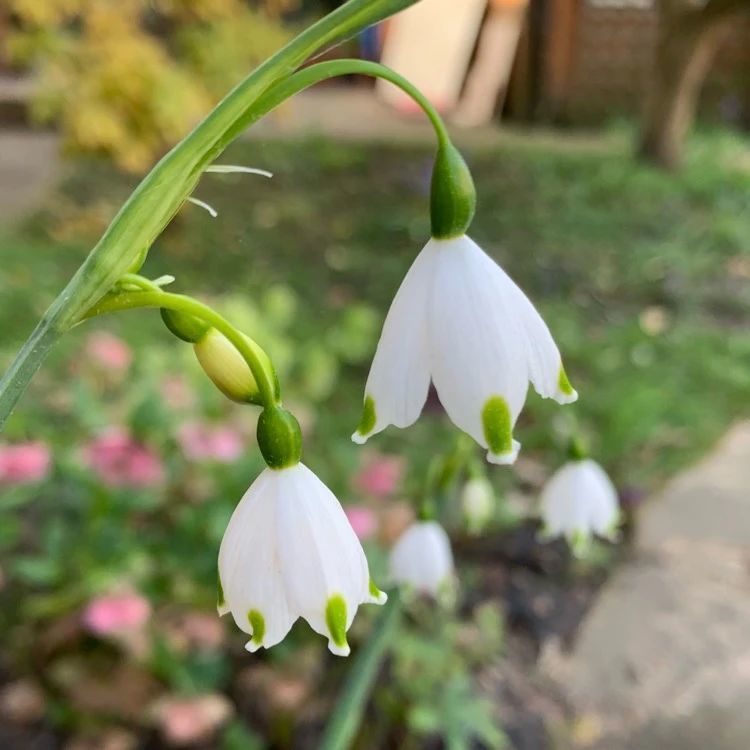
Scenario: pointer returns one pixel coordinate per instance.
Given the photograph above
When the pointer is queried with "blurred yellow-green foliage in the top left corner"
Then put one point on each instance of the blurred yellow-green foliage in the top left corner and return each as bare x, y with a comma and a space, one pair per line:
128, 78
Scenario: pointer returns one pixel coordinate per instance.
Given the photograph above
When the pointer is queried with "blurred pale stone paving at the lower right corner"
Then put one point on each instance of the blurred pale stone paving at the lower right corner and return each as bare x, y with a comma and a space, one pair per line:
662, 661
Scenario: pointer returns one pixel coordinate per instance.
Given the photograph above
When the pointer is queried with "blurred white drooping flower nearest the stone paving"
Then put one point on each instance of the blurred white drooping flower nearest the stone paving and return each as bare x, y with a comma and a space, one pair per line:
578, 501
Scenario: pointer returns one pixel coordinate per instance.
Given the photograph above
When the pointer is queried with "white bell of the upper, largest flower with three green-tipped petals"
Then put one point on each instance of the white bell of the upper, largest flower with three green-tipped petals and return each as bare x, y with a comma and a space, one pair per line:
460, 320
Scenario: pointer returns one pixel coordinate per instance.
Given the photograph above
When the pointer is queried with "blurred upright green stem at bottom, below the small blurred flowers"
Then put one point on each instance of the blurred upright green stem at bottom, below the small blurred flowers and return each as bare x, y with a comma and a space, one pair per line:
347, 715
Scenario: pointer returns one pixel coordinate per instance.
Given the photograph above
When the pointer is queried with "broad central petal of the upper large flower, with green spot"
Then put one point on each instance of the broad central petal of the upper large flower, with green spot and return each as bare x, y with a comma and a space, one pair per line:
477, 346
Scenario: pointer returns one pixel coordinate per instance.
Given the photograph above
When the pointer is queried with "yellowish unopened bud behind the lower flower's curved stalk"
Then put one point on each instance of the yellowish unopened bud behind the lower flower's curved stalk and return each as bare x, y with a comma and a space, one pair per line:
228, 370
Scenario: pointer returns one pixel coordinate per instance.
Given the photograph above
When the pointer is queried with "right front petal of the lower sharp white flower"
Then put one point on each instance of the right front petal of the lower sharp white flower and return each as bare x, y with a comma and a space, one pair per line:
321, 558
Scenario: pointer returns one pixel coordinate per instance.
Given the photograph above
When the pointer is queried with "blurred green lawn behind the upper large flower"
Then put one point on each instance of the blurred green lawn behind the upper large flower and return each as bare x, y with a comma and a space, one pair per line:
643, 277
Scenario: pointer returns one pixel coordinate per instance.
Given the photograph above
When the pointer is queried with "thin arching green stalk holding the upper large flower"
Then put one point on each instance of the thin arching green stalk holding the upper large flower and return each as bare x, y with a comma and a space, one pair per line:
319, 72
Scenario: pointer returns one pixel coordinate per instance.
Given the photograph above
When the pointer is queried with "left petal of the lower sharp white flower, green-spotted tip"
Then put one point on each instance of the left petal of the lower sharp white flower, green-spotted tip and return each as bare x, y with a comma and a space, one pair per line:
249, 567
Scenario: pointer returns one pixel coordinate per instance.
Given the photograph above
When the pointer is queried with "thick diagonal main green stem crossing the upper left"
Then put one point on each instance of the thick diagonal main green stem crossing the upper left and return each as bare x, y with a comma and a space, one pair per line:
124, 245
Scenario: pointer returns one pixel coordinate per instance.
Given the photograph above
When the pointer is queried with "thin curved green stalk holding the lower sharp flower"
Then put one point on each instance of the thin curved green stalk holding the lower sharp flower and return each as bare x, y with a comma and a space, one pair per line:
183, 303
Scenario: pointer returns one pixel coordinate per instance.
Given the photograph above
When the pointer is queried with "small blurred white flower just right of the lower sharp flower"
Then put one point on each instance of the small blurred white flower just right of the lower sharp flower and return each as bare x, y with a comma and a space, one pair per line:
422, 559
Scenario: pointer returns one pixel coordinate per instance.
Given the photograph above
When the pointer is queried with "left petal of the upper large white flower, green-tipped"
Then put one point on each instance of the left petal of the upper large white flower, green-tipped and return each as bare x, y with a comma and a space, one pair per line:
399, 377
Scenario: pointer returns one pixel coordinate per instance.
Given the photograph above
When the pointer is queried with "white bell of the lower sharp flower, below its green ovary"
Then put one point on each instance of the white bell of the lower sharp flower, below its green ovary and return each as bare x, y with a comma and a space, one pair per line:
288, 552
